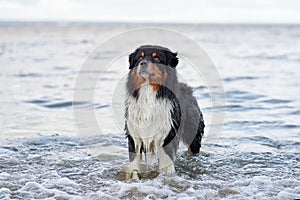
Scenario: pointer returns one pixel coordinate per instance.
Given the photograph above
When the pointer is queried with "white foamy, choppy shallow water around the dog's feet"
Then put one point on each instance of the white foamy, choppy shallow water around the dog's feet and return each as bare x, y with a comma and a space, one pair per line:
61, 167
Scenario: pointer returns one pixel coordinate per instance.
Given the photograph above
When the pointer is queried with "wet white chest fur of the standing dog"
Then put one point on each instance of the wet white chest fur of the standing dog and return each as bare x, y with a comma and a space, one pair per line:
149, 119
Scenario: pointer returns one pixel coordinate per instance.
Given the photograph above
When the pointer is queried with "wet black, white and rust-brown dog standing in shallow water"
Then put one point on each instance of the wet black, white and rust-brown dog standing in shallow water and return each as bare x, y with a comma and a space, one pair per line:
159, 110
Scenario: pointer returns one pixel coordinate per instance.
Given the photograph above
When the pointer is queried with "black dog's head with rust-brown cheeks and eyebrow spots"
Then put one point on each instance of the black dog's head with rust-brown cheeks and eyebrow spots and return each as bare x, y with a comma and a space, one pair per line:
151, 63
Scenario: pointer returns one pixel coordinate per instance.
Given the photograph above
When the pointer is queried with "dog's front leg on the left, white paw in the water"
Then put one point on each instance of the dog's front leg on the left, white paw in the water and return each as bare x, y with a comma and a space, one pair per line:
133, 170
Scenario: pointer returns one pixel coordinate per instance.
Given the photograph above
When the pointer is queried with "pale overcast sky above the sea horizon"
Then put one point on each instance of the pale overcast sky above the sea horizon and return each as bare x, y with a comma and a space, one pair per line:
181, 11
